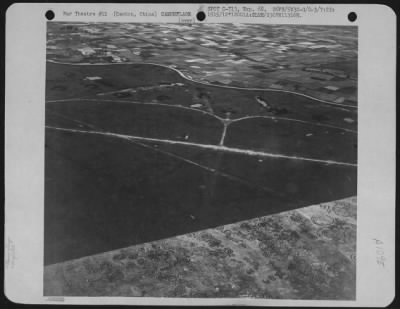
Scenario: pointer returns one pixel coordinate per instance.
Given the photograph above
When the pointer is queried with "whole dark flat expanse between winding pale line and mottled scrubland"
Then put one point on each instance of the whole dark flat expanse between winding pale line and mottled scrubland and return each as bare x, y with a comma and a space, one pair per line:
136, 153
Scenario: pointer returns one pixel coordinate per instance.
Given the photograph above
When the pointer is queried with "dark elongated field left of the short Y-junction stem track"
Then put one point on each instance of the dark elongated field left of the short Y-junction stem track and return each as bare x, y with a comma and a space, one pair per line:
145, 120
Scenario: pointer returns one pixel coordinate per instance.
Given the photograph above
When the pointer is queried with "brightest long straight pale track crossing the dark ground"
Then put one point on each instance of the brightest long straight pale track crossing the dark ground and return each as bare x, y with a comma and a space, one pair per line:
207, 146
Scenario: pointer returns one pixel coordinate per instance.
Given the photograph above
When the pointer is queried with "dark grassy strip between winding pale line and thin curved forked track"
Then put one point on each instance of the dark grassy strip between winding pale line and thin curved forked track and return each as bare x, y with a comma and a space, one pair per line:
66, 81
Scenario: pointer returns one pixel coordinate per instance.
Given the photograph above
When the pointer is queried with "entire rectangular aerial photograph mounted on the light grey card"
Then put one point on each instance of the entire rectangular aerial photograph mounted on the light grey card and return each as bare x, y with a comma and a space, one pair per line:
201, 161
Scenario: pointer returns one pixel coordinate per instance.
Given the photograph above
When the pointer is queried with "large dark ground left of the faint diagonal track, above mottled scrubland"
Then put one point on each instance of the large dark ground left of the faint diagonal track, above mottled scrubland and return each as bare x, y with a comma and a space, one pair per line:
104, 193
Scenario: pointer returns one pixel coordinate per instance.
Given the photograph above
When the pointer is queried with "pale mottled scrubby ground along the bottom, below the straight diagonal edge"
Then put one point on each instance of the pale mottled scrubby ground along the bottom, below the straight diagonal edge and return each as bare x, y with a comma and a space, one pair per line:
308, 253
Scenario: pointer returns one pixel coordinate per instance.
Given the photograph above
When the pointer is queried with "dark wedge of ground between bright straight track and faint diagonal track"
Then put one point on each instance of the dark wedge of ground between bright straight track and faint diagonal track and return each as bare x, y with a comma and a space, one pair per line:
288, 179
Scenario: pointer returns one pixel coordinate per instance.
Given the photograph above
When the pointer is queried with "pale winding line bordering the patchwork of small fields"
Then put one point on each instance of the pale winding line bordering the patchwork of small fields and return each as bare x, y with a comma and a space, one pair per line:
208, 84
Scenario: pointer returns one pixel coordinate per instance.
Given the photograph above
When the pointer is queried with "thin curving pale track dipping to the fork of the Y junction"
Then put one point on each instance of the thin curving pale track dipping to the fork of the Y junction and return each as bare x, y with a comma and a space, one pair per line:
204, 112
